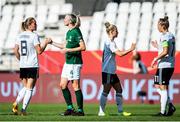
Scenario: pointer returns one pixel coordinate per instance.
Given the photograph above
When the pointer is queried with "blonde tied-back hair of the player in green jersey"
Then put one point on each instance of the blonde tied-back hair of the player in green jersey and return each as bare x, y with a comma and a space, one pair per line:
74, 19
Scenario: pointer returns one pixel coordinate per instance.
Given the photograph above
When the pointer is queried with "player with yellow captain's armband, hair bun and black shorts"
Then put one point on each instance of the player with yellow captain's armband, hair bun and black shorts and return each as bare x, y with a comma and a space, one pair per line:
165, 59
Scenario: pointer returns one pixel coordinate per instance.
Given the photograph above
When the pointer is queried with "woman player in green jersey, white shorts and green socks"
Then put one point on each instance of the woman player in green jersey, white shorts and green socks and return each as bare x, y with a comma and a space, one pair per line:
72, 48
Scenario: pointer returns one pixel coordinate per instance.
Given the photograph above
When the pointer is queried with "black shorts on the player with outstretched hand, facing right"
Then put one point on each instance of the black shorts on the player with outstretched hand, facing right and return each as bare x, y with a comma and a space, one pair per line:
109, 78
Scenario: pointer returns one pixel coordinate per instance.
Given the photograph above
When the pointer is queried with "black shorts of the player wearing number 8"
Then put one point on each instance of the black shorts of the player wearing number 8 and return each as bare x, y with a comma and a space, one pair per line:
29, 73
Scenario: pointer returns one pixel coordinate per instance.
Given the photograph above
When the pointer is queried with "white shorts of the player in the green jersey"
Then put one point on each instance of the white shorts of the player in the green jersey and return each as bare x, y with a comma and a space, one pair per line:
71, 71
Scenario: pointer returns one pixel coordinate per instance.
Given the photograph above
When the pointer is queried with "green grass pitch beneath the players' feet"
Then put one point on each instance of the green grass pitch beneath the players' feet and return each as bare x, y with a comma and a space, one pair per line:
50, 112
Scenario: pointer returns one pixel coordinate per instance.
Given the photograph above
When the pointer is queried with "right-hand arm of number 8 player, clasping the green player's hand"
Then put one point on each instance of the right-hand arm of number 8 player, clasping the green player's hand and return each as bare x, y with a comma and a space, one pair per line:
41, 47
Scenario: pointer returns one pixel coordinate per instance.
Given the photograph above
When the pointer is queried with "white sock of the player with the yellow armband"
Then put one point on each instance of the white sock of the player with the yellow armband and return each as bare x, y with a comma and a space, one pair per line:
164, 99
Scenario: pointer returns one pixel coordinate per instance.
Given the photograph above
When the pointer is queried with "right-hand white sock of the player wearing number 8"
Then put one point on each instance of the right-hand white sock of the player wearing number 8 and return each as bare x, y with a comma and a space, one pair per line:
27, 98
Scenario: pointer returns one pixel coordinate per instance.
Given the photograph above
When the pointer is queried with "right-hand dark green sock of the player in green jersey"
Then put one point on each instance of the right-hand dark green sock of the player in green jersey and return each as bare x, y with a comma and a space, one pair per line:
79, 99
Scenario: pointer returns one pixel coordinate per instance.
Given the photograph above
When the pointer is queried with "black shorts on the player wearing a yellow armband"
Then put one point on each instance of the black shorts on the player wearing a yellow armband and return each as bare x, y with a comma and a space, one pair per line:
163, 75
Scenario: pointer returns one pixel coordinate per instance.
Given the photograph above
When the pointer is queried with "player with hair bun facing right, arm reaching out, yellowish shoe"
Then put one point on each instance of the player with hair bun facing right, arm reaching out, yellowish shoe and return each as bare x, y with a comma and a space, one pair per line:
109, 77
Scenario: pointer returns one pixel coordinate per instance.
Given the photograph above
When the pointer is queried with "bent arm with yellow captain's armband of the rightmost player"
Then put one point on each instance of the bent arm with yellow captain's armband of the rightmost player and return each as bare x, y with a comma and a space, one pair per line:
162, 54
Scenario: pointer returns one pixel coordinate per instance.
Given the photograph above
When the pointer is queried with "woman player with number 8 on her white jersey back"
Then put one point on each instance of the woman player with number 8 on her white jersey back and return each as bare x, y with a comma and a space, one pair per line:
27, 48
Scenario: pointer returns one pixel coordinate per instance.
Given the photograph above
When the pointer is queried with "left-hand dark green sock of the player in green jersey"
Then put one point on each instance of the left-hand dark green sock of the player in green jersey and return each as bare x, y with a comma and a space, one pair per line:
67, 97
